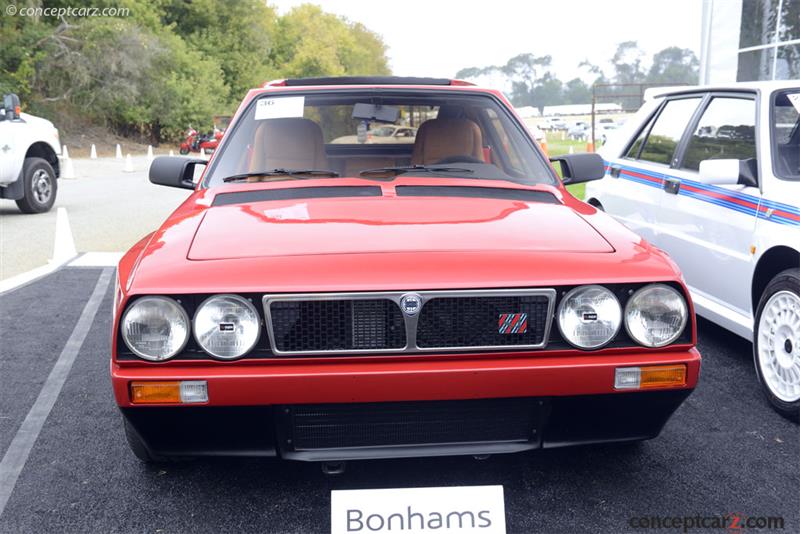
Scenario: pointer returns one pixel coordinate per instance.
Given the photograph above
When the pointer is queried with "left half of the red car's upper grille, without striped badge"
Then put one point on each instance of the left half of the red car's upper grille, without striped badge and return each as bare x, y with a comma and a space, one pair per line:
337, 325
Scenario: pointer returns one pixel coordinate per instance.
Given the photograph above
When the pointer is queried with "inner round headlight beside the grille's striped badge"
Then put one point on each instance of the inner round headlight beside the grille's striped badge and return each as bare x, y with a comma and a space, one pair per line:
589, 317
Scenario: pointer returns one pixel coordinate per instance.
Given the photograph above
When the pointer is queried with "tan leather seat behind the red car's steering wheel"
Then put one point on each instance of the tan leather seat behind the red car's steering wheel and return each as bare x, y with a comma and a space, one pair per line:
438, 139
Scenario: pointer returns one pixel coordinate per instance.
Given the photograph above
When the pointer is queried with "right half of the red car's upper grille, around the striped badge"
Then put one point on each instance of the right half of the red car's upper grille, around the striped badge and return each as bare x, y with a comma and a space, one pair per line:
475, 321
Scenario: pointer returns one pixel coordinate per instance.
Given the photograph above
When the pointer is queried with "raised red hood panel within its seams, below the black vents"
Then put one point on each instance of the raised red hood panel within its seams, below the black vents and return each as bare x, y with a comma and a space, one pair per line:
386, 224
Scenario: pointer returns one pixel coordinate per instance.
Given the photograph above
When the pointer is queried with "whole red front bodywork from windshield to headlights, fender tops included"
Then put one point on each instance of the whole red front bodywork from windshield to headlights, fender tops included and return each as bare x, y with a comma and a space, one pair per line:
385, 243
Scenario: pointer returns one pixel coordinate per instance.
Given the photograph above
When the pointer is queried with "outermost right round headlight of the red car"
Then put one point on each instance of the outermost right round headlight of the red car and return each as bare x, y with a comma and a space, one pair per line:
656, 315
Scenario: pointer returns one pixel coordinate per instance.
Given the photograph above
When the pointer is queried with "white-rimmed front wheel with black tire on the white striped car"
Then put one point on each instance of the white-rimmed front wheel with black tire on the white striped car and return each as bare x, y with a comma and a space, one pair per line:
776, 343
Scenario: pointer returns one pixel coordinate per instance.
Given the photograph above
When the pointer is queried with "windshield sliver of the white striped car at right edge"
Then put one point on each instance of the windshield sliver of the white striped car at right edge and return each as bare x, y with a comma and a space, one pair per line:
786, 134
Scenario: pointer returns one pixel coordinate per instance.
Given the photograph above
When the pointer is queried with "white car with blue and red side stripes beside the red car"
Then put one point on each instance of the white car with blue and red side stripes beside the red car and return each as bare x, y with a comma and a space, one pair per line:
711, 175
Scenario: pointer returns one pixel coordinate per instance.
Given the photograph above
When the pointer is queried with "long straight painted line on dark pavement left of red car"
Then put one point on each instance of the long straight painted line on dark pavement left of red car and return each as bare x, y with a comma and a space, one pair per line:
17, 454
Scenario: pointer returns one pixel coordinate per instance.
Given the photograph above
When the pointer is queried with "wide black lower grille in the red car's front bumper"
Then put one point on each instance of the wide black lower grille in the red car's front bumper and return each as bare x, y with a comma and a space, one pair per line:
342, 426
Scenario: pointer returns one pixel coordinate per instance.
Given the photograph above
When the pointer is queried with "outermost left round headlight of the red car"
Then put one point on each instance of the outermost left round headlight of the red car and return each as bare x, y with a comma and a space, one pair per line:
155, 328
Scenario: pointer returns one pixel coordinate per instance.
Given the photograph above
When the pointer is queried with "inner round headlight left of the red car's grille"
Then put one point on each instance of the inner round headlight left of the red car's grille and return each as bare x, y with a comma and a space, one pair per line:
226, 326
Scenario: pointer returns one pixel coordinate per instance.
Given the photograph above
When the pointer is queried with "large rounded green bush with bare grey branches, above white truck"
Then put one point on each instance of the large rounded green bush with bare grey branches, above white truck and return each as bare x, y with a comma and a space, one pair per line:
117, 72
